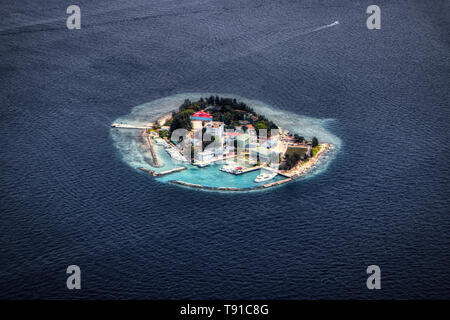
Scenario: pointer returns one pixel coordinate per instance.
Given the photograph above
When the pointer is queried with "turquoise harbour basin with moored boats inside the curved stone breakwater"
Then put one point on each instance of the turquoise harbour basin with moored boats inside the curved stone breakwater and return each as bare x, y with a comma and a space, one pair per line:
230, 174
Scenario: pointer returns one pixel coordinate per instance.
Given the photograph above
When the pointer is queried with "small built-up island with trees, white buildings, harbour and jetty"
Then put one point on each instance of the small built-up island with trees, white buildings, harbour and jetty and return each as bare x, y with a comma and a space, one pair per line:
226, 136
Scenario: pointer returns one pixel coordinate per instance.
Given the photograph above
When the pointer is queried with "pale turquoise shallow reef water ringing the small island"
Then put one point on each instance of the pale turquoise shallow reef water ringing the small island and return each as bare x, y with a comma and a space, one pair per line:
134, 151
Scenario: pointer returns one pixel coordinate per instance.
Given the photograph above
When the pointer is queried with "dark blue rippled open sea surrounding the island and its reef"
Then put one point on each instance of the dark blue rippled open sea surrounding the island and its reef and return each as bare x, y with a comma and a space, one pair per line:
67, 197
